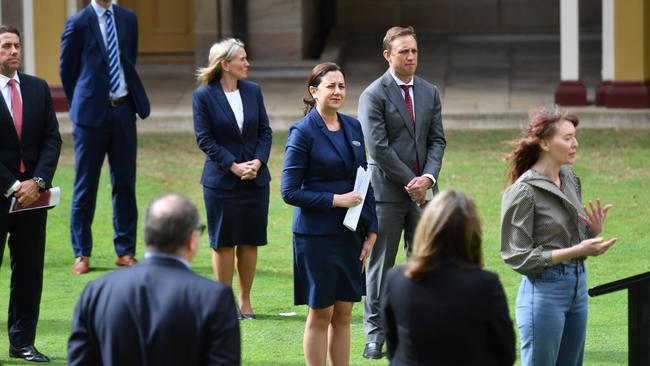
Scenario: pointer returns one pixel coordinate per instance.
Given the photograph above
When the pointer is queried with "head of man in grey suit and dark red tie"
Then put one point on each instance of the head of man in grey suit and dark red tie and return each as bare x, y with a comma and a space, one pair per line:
401, 51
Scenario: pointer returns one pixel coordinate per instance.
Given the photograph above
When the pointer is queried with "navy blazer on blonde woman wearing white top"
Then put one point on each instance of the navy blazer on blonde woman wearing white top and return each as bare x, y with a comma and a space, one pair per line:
218, 135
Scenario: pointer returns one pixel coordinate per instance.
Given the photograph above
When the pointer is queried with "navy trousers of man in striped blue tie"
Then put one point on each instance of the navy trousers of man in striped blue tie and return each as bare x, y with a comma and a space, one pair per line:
116, 137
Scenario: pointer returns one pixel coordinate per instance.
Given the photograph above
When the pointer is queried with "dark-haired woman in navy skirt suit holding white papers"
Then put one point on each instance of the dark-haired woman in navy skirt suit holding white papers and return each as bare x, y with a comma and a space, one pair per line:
322, 155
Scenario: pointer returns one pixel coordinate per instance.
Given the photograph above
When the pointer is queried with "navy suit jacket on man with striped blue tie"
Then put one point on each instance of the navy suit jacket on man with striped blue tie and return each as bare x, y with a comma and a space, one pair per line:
84, 65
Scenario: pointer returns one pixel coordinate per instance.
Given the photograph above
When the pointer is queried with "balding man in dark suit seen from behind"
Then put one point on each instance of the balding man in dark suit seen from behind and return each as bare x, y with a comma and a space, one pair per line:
158, 312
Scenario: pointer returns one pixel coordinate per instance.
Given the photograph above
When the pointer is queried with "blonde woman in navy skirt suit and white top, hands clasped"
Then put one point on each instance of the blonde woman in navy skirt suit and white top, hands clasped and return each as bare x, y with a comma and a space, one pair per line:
232, 129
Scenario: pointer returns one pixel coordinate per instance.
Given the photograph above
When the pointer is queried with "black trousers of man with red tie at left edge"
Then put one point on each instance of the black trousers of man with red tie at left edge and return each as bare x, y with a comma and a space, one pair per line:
26, 231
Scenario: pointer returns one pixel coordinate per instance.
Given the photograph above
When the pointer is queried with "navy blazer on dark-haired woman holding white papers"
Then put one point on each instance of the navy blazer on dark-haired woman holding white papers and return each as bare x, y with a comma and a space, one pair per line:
314, 170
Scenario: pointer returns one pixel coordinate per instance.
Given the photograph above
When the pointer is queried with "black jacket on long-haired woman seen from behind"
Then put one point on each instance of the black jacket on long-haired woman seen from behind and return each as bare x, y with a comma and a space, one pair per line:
453, 316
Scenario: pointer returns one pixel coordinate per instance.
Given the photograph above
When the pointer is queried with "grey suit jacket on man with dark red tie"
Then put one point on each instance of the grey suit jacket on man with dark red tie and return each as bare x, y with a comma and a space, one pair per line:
392, 143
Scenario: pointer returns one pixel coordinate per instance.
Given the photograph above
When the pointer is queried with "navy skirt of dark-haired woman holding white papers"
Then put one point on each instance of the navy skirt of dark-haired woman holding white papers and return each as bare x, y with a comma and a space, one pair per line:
326, 269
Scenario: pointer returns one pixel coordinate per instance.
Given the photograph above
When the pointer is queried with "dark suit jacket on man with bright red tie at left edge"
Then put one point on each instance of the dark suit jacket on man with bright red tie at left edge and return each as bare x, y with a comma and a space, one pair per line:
40, 144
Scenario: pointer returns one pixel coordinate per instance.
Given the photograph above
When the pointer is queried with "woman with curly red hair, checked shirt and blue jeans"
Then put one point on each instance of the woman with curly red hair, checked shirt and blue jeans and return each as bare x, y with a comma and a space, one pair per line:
546, 234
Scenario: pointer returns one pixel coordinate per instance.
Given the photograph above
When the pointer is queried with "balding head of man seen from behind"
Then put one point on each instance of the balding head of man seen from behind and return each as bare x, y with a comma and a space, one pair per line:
170, 226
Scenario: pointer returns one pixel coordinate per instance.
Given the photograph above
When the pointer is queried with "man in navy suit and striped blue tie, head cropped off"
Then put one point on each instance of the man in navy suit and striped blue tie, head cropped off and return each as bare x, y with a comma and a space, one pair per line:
98, 53
